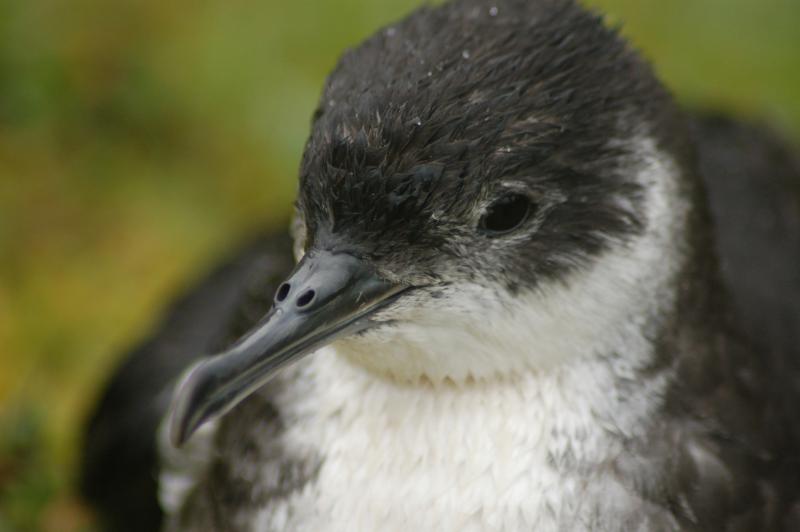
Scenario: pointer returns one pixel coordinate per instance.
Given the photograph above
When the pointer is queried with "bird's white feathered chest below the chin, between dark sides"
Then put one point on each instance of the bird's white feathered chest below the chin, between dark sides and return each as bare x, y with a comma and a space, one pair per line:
394, 458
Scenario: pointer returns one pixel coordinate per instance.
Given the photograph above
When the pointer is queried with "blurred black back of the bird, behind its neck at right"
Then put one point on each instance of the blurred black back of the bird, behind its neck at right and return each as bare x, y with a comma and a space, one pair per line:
753, 182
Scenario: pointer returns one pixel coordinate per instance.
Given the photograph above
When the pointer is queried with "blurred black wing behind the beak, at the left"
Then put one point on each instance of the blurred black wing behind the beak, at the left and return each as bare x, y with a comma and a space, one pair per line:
120, 468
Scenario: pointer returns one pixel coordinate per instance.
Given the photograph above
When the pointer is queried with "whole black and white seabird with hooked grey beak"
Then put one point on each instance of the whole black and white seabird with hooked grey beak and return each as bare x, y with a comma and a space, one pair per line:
524, 290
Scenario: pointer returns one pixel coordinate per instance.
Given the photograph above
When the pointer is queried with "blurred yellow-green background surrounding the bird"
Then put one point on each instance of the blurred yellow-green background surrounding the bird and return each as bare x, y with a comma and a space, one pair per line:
141, 140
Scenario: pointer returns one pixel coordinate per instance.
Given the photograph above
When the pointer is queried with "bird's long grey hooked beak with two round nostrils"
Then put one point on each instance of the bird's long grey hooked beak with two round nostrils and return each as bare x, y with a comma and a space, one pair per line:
327, 296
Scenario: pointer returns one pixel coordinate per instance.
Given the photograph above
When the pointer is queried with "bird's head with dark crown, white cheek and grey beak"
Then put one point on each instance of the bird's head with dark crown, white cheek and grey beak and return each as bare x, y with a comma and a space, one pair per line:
487, 189
